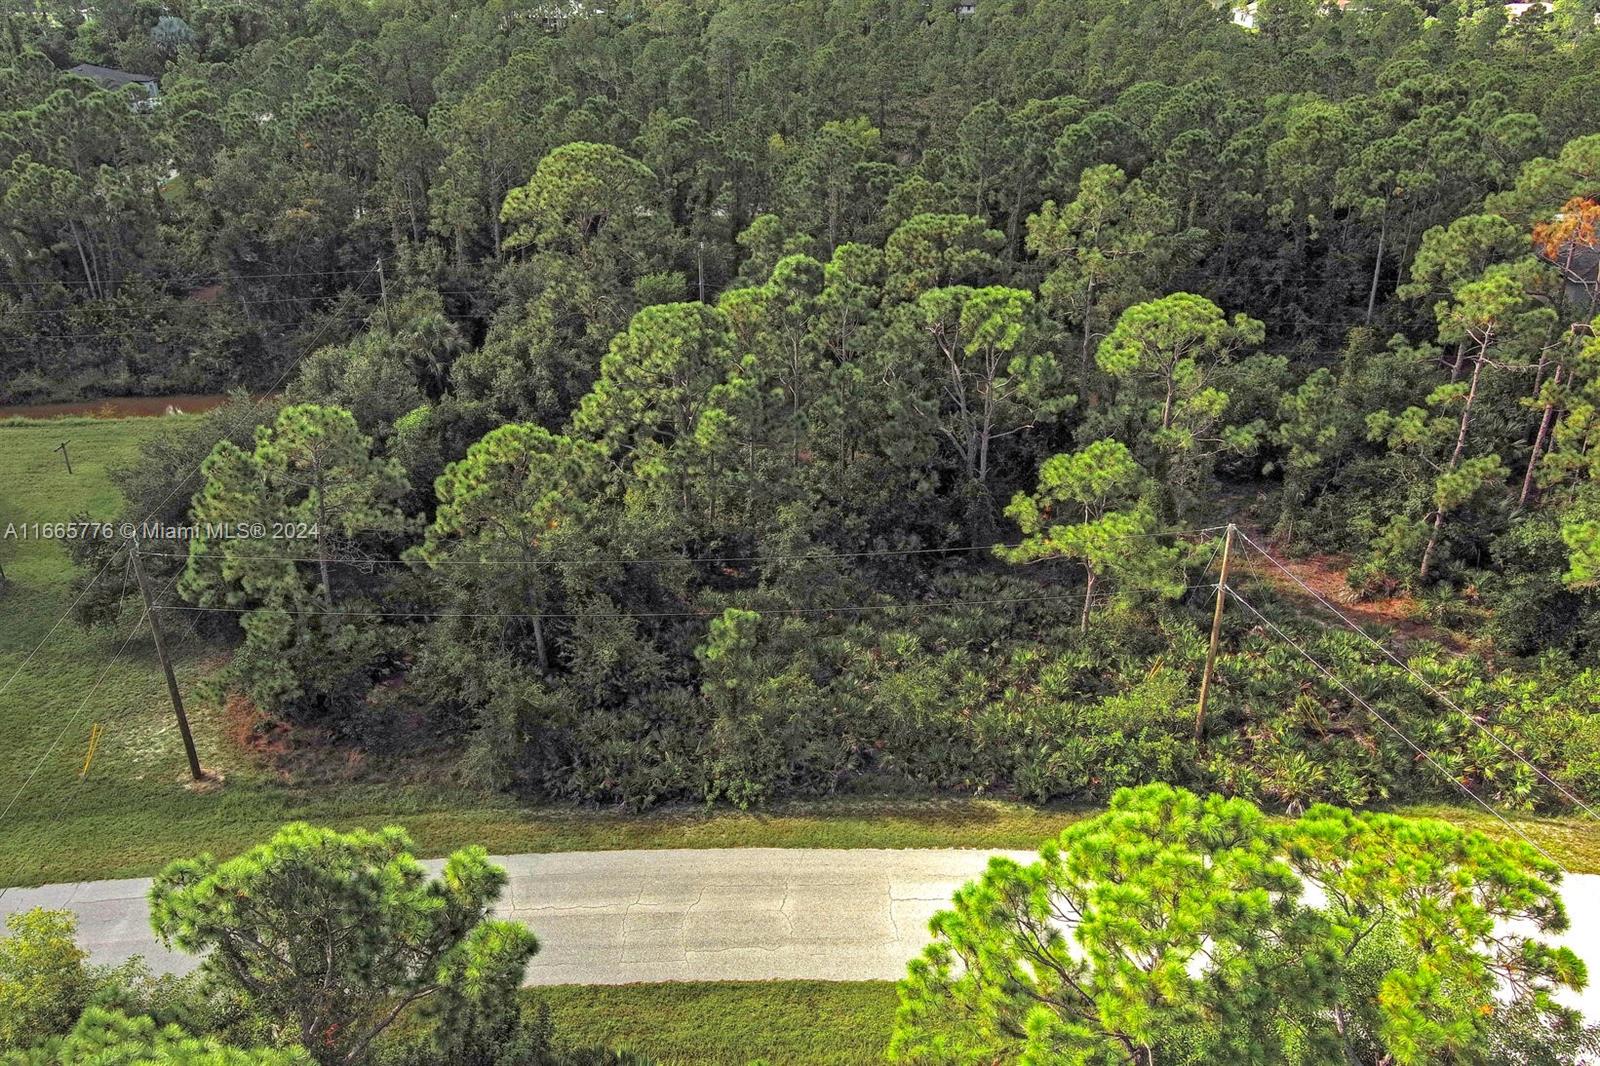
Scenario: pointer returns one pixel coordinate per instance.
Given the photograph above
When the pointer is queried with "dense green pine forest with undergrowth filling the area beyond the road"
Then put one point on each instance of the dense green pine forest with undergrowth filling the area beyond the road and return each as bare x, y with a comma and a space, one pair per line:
738, 399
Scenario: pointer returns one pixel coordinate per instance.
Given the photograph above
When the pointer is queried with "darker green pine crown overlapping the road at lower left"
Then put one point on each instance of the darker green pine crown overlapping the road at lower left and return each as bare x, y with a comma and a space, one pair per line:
338, 937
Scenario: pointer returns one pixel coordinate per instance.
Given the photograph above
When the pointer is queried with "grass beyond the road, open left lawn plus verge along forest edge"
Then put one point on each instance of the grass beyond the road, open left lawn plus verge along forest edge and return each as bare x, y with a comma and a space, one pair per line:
130, 814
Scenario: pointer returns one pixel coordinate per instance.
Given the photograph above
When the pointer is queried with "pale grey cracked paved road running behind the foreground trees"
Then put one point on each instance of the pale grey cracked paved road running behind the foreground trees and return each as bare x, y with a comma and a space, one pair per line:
610, 918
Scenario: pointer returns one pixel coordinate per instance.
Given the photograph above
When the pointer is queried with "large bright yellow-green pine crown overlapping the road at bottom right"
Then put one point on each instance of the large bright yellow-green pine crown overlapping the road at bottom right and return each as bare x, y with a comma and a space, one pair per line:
1175, 929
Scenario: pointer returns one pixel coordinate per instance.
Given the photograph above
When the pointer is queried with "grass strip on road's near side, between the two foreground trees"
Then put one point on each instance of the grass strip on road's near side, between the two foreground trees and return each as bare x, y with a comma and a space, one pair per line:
729, 1024
